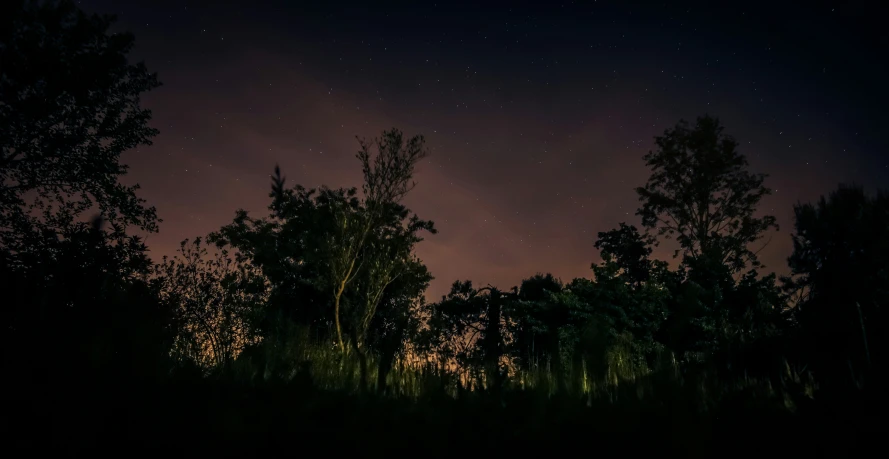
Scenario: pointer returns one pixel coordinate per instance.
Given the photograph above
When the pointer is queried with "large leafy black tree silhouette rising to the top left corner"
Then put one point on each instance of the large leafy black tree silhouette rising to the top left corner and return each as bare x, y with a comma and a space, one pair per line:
69, 106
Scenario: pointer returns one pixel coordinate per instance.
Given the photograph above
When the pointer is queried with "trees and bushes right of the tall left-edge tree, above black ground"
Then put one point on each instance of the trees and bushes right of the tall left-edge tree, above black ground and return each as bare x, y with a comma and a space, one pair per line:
331, 277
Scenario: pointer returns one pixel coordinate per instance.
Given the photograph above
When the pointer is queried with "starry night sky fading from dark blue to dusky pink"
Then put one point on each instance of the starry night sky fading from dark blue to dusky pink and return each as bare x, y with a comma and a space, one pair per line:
537, 115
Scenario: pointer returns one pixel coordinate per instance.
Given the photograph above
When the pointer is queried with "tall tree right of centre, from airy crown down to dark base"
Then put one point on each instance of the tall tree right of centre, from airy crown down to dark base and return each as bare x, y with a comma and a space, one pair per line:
701, 193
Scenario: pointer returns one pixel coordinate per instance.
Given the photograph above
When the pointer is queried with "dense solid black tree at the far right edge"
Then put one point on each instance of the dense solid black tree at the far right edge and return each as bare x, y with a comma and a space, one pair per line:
839, 278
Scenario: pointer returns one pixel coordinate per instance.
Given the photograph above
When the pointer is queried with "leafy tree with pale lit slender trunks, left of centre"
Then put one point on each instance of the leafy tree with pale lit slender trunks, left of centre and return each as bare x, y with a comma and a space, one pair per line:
335, 257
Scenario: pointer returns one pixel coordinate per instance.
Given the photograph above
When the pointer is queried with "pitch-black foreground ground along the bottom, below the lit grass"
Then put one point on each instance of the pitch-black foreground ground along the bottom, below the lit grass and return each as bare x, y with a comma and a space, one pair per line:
289, 420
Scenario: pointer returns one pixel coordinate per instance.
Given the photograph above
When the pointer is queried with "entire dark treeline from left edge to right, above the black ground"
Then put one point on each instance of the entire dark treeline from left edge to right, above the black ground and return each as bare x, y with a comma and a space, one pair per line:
327, 291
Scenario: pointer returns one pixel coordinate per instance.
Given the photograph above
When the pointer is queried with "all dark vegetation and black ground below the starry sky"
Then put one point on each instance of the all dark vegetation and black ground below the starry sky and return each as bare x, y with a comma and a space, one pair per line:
308, 330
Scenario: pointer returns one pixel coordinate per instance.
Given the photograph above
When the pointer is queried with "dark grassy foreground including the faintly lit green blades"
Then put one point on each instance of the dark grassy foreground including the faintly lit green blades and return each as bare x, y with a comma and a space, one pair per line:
318, 407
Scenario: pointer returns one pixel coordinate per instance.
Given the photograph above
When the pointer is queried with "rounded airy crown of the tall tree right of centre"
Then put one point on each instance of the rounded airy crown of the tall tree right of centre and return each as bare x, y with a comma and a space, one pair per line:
701, 193
